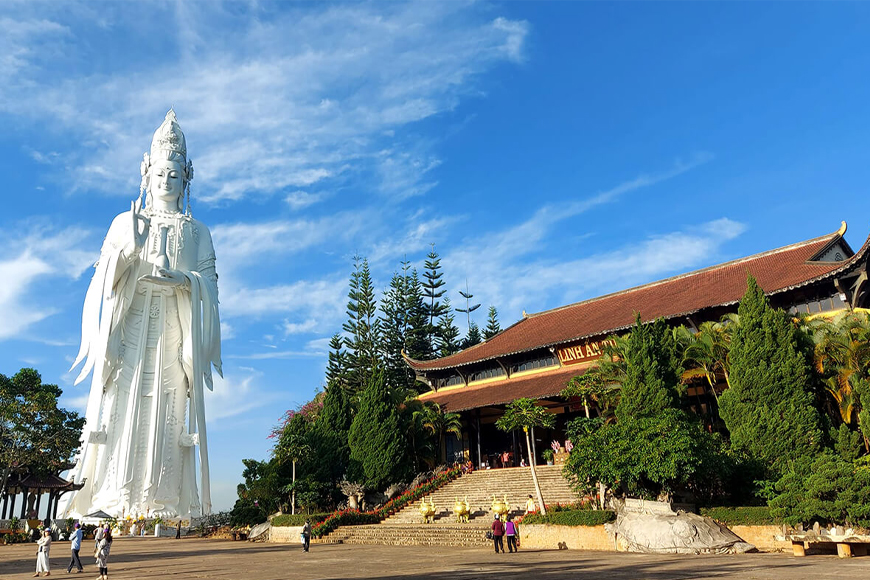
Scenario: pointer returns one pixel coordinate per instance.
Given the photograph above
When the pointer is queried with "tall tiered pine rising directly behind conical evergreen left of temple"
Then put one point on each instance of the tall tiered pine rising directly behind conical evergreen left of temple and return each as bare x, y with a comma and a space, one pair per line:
362, 326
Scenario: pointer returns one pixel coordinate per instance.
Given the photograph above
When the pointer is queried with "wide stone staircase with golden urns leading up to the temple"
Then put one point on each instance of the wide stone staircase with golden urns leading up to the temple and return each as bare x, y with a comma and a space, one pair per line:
405, 528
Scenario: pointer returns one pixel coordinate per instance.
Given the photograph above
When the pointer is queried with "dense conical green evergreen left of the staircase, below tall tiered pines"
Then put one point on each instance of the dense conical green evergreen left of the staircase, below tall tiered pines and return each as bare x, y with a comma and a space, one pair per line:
377, 447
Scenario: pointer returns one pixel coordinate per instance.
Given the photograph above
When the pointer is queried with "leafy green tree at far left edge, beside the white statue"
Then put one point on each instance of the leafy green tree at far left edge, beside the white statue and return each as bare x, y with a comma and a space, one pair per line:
36, 435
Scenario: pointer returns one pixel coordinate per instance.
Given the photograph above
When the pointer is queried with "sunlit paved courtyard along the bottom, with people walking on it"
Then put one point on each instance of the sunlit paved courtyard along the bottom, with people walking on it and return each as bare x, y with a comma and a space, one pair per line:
199, 558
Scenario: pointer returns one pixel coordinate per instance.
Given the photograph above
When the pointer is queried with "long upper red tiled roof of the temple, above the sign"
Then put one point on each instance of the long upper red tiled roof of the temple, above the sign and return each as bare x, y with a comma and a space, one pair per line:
776, 271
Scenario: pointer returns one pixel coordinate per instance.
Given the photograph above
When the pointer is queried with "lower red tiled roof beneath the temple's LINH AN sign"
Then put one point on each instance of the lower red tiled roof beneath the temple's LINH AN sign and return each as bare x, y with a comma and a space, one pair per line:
536, 386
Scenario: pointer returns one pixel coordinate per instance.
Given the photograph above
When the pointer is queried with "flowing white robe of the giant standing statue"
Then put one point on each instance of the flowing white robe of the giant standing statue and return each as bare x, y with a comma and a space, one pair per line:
151, 349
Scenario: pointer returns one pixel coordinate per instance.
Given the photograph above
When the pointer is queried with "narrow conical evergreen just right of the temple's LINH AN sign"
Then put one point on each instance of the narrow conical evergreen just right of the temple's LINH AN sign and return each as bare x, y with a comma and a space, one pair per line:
653, 371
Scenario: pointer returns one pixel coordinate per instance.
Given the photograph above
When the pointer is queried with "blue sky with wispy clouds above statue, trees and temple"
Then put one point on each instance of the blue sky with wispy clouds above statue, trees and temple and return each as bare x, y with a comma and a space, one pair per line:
552, 152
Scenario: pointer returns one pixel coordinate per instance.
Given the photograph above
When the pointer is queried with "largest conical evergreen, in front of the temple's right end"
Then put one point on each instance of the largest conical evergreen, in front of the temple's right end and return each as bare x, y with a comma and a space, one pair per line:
769, 407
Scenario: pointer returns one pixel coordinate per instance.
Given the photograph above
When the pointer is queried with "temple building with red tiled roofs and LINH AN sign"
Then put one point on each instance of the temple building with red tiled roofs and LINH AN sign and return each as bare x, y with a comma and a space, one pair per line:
539, 354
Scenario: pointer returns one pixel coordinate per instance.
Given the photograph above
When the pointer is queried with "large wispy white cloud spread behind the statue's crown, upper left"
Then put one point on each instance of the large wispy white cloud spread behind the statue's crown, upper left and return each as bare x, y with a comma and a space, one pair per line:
270, 111
